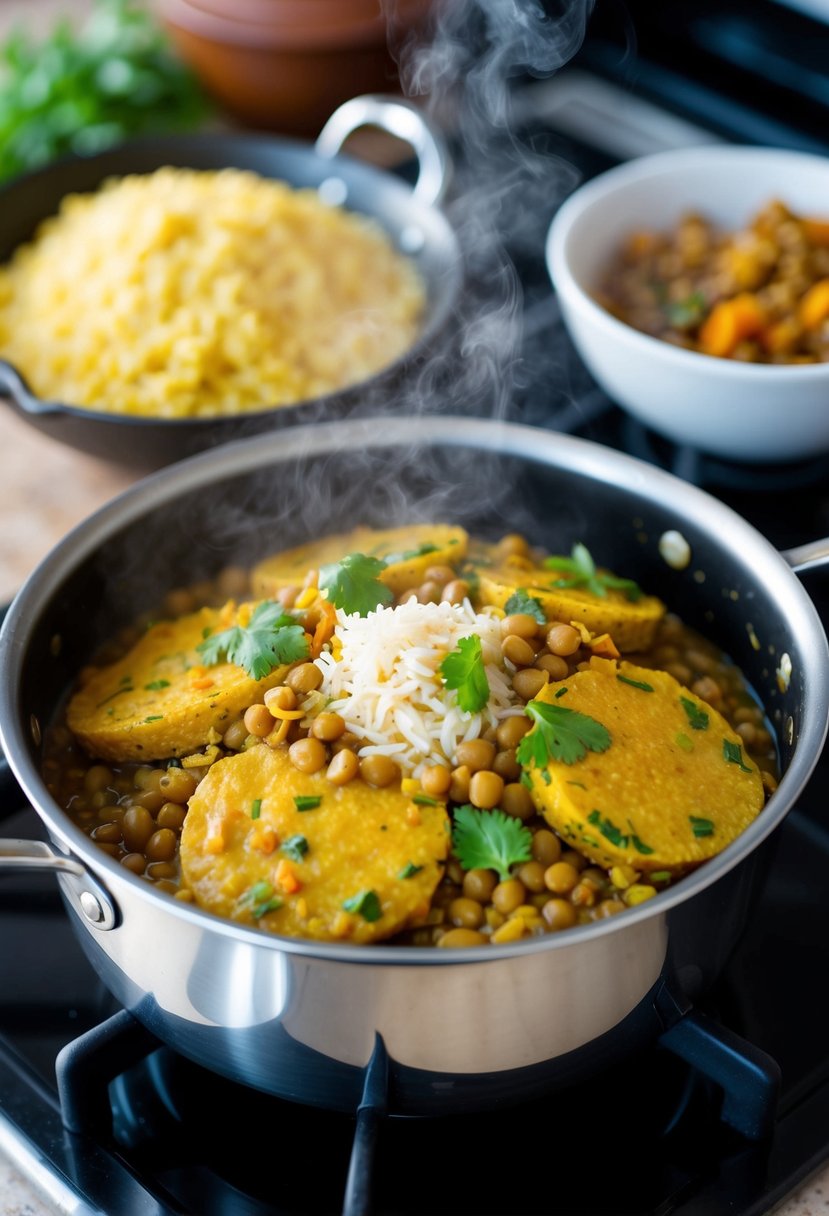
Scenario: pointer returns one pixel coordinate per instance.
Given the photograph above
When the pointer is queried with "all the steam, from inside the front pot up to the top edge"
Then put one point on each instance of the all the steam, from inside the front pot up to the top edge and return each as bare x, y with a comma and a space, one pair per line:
503, 198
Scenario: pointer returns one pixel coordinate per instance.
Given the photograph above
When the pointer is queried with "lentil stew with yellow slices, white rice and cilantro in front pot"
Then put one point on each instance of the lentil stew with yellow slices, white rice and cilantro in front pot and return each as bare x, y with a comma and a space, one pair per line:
413, 736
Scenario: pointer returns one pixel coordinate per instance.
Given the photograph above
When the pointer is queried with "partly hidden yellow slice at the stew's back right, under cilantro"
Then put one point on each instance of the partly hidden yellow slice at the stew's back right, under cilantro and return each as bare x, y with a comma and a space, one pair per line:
631, 623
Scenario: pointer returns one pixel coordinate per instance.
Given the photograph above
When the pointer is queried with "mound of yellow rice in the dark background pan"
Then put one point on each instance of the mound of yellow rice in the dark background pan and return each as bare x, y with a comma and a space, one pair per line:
189, 292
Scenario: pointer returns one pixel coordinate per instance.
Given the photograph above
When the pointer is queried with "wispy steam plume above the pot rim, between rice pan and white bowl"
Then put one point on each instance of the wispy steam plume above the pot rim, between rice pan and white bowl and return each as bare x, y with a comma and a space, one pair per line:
504, 194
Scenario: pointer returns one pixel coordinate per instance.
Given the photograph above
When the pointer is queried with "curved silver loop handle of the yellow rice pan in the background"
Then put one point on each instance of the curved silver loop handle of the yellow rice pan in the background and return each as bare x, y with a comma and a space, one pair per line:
407, 122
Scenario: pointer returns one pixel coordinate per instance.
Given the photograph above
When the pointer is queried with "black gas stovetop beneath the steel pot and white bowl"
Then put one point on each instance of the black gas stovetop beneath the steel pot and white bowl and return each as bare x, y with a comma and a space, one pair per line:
105, 1119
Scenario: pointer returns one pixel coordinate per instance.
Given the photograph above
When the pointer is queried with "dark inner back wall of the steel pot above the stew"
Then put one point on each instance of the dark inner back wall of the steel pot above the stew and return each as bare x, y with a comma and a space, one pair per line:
269, 496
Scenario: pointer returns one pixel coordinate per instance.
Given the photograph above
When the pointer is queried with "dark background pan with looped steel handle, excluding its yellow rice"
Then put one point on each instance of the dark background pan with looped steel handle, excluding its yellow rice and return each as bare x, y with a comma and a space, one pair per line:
410, 215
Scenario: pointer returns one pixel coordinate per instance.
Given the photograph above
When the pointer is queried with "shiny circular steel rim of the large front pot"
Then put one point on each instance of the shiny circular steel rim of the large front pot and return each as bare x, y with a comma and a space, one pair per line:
529, 443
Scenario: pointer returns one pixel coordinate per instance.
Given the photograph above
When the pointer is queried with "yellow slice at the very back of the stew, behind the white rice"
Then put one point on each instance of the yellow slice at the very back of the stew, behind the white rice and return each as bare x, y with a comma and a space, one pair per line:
410, 551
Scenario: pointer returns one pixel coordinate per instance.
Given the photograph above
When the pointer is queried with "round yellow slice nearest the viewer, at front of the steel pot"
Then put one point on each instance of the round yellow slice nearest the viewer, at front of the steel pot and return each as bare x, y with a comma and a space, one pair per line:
373, 847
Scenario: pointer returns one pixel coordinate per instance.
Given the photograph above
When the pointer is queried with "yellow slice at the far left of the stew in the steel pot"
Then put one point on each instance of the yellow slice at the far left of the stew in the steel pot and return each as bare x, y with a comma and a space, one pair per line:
160, 700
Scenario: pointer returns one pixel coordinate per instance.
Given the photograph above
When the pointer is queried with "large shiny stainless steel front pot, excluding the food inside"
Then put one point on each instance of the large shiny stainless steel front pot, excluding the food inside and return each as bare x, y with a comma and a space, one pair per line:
301, 1018
